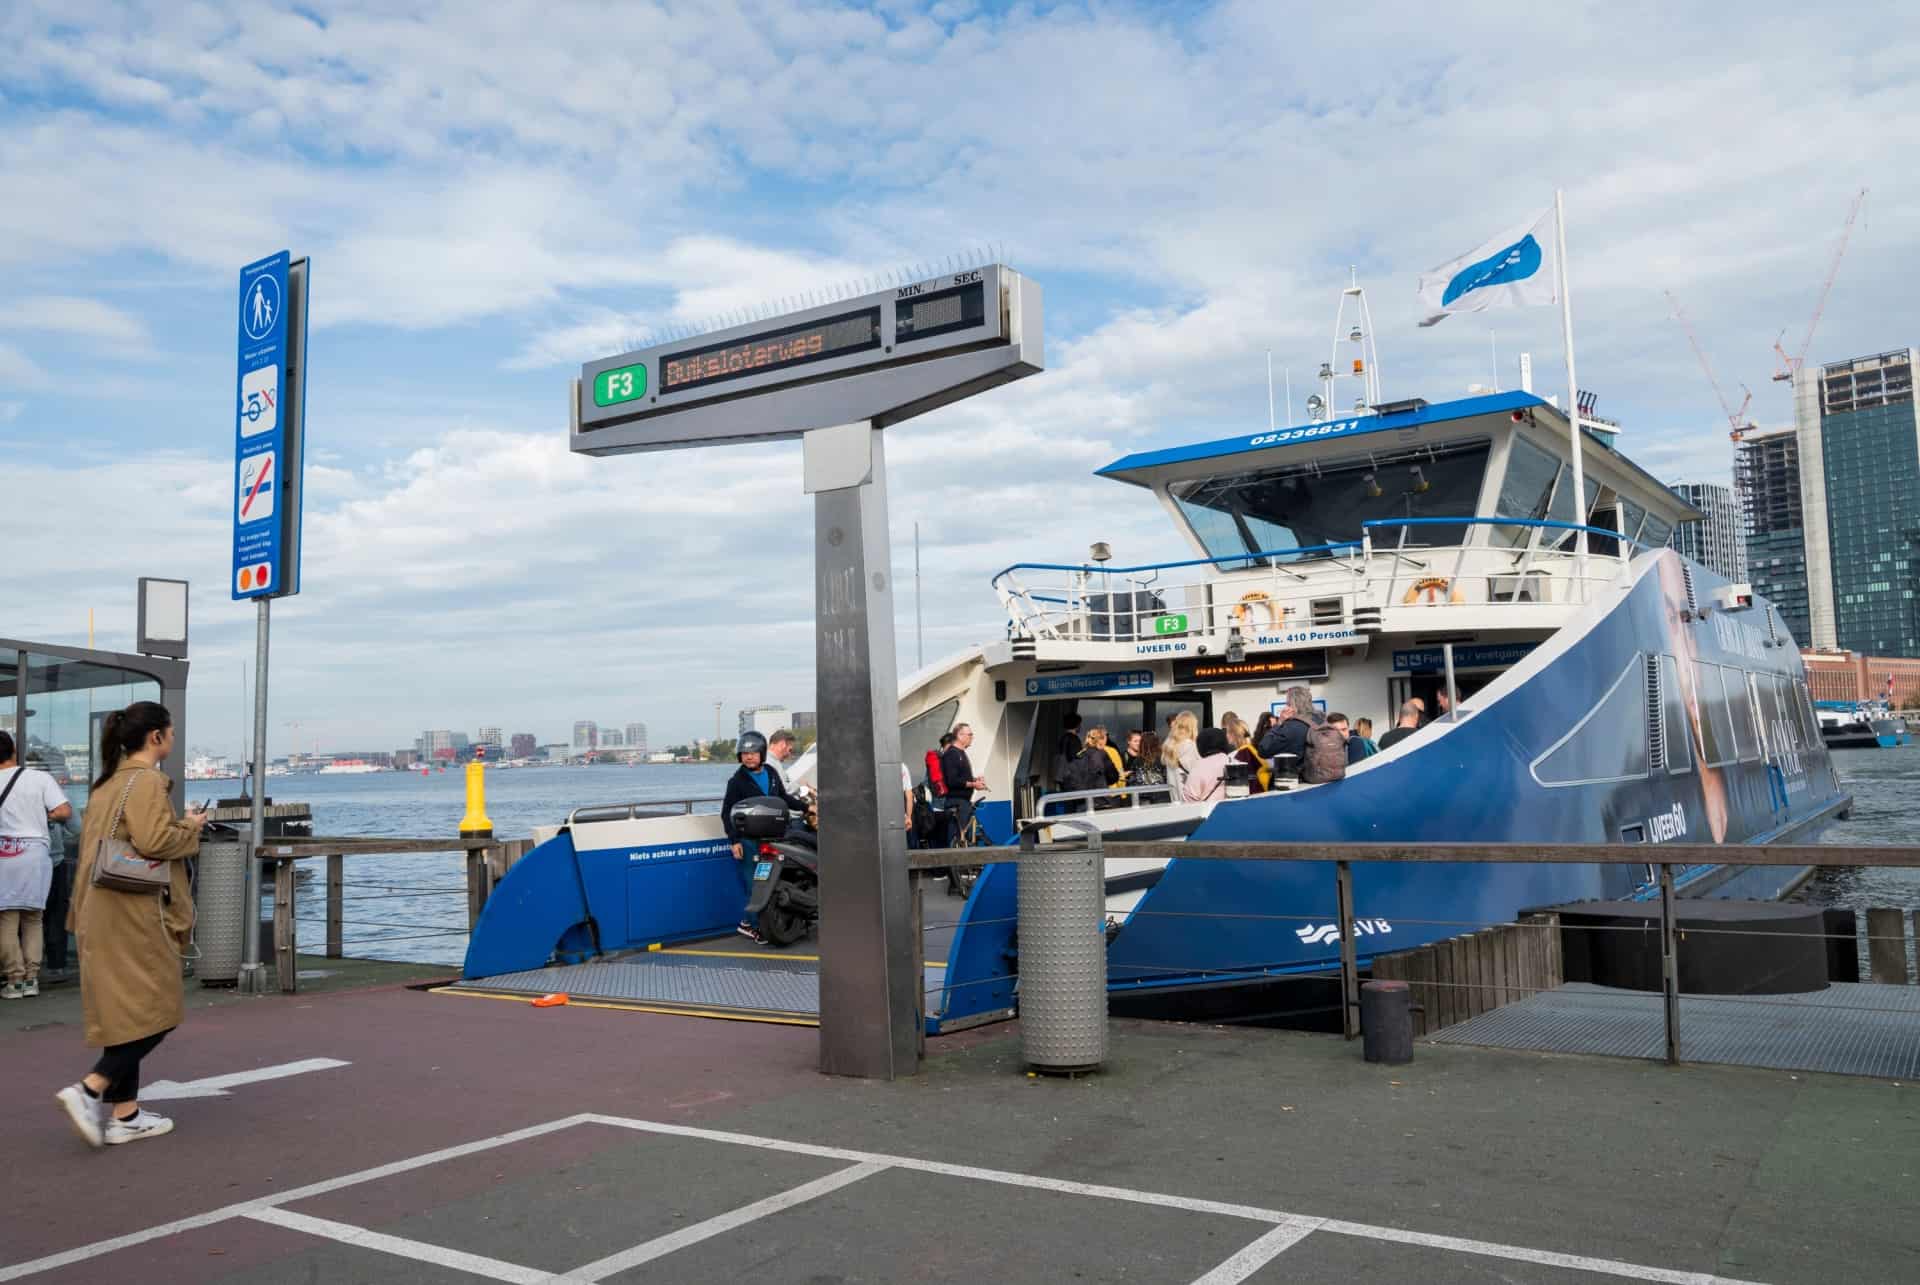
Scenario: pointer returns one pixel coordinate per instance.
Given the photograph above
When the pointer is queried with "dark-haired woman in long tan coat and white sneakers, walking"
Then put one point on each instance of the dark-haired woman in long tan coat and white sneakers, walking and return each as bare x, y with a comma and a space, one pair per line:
132, 944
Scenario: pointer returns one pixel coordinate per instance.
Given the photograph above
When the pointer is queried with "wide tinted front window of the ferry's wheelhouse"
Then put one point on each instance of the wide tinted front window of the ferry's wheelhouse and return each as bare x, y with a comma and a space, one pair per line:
1293, 512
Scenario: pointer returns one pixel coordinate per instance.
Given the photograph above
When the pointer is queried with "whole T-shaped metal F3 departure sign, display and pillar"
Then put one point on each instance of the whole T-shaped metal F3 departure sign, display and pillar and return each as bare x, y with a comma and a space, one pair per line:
838, 376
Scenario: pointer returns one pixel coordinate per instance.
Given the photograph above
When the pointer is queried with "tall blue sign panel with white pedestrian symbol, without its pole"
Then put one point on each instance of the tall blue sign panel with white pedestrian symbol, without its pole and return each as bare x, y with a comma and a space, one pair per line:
266, 502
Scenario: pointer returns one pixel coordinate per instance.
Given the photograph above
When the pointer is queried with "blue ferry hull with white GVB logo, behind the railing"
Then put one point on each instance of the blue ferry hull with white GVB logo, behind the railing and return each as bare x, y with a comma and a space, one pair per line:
1644, 719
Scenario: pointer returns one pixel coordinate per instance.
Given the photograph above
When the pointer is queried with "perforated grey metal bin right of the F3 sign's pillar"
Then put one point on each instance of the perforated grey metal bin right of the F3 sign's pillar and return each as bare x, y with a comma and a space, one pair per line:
1063, 952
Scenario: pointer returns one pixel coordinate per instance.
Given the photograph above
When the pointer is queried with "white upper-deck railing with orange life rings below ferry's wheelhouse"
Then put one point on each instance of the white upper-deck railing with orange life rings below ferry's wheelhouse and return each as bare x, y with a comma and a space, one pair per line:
1326, 587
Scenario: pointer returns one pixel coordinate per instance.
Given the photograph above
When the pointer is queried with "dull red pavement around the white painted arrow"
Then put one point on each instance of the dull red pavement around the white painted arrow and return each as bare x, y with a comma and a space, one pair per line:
425, 1073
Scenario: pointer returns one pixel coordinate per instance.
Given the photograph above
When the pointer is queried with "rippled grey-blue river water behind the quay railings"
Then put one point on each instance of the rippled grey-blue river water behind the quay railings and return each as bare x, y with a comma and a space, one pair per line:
416, 909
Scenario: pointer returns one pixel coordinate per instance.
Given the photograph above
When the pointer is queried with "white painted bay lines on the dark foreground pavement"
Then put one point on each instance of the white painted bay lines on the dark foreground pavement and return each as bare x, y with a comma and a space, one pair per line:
1287, 1228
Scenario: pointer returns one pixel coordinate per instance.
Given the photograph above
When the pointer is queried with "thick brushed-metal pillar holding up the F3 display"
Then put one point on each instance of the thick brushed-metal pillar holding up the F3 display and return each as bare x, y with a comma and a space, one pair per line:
869, 979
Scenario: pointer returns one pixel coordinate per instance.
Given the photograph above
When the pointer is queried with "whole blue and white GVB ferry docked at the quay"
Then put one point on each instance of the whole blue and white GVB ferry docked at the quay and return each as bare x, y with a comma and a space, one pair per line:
1610, 694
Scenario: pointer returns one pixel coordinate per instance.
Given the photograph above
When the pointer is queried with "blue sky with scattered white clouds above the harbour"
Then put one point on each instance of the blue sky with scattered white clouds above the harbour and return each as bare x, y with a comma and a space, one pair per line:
494, 195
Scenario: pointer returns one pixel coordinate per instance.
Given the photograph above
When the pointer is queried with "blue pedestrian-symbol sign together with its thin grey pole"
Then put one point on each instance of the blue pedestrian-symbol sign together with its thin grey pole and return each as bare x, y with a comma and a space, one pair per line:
270, 458
